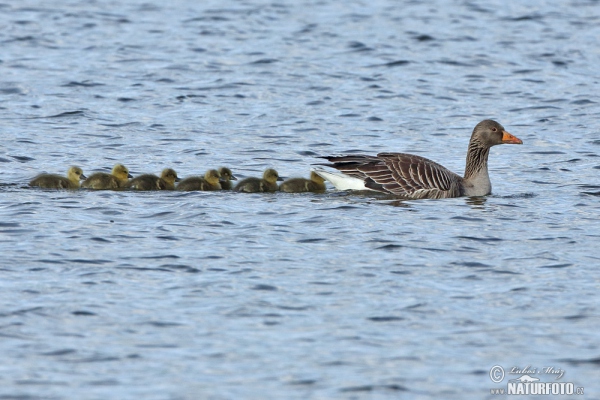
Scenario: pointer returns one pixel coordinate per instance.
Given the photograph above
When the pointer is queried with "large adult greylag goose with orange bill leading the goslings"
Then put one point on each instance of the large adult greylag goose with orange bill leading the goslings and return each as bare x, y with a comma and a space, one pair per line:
416, 177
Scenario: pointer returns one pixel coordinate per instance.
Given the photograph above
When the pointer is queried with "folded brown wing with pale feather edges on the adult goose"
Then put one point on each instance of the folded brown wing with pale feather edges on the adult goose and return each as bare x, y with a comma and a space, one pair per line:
400, 174
